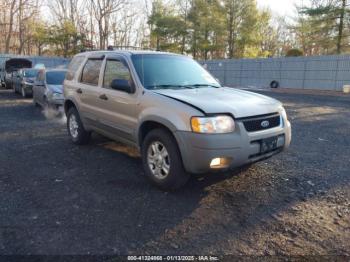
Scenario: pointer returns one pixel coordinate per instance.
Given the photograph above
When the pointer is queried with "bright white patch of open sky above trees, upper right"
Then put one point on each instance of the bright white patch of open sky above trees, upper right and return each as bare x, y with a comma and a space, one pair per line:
281, 7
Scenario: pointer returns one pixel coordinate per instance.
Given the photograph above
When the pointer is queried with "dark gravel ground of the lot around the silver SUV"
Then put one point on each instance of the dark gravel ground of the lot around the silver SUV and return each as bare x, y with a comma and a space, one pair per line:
57, 198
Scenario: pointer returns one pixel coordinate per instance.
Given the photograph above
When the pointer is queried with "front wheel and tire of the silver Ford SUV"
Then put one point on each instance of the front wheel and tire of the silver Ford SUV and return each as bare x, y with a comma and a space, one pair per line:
176, 177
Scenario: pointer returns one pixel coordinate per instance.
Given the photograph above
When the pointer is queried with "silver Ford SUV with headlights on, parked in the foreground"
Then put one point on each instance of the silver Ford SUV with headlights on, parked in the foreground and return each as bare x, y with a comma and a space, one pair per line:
180, 117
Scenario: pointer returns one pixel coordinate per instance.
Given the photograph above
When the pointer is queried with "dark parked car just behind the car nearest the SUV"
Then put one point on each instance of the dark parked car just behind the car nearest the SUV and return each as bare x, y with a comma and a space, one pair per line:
24, 81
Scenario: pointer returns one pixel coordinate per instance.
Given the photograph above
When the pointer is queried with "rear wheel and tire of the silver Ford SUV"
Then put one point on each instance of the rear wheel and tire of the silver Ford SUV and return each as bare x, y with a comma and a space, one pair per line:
76, 129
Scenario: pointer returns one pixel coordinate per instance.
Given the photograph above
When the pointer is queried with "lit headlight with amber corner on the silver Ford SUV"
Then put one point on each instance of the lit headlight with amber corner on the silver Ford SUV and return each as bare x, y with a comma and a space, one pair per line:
213, 125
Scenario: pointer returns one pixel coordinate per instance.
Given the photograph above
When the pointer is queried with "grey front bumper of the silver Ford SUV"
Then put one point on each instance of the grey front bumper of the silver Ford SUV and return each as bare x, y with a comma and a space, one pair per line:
240, 147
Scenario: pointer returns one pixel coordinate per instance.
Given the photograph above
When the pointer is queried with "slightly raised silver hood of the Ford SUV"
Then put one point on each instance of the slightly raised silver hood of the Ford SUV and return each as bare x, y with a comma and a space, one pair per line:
237, 102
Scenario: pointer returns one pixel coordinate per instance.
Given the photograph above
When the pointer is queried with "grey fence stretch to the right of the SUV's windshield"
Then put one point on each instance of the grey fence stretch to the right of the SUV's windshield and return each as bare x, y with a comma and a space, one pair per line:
322, 73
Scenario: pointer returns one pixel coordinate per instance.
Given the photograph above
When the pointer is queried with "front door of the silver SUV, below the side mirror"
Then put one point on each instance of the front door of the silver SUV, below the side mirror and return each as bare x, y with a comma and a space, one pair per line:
118, 108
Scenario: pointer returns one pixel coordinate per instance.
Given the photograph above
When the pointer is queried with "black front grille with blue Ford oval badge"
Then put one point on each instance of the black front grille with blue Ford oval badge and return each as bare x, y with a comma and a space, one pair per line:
262, 123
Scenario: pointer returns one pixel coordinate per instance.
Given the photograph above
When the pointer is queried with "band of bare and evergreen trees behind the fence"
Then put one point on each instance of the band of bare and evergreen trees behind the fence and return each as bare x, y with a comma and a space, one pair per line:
205, 29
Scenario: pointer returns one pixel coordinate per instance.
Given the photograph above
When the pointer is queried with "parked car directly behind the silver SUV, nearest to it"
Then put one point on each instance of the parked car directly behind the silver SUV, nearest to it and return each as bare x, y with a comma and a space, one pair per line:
48, 88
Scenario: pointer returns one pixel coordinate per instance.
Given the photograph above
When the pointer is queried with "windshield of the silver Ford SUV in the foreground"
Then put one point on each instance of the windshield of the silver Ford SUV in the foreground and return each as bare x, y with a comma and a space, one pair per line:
158, 71
